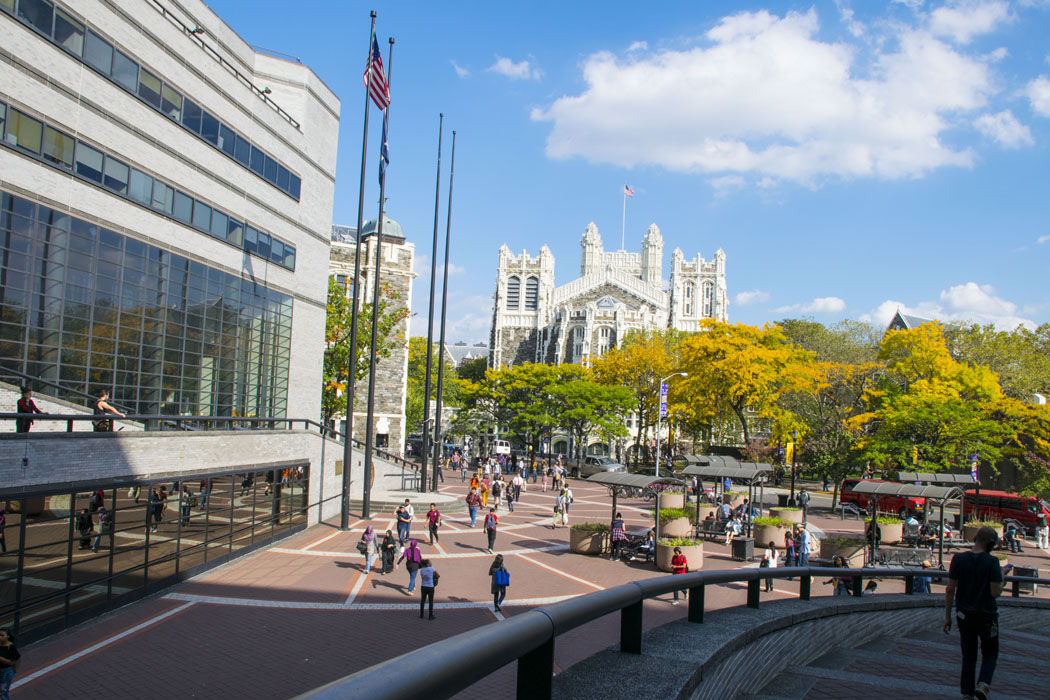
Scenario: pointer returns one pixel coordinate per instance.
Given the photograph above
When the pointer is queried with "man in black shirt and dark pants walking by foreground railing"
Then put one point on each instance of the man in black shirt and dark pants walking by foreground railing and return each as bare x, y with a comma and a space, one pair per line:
975, 582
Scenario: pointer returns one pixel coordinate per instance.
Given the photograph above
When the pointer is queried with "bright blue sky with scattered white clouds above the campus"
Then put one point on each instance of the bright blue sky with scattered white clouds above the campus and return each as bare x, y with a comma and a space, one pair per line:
849, 158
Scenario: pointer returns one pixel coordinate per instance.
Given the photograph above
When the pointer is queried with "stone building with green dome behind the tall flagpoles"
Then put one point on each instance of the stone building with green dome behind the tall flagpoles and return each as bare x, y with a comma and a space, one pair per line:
392, 373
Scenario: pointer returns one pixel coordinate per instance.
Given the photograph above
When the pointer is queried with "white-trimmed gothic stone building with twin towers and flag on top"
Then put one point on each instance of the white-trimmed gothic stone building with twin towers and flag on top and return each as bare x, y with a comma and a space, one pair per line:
617, 292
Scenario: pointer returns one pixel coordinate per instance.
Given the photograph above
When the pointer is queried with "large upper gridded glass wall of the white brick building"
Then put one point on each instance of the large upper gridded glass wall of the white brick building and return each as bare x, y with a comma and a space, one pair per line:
92, 309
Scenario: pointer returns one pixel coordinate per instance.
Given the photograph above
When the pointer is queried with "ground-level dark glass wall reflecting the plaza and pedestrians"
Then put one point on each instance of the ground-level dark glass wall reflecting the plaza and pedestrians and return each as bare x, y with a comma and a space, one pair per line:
65, 563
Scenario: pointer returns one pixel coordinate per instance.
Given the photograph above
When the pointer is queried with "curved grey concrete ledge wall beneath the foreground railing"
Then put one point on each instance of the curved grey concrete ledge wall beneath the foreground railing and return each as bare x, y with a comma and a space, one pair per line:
738, 651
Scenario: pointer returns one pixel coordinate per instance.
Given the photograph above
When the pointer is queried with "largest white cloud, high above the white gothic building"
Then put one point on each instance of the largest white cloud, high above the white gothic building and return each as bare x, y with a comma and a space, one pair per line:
766, 96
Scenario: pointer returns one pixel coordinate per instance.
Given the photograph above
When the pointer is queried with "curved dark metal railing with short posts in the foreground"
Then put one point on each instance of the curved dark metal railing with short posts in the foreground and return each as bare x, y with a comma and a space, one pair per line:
446, 668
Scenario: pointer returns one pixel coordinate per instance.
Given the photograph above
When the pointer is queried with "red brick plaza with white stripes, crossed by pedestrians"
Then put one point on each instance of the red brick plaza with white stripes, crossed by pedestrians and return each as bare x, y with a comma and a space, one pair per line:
298, 616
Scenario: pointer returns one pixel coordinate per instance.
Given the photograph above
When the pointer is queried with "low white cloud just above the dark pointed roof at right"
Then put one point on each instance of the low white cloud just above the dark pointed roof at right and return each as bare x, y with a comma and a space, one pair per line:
963, 303
